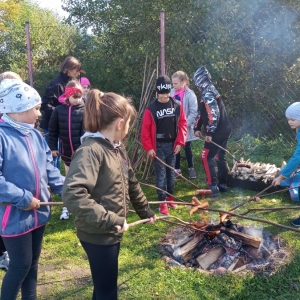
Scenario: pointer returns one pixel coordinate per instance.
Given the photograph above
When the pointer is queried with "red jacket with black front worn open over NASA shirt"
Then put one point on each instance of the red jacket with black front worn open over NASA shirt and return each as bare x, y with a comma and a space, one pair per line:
148, 133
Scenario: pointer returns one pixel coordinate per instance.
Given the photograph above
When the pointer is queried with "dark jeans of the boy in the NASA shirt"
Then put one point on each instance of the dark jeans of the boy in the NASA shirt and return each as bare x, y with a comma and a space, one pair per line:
164, 176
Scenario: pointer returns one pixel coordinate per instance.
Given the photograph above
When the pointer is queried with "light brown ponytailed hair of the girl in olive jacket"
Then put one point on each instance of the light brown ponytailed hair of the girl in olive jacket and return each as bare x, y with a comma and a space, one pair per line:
102, 109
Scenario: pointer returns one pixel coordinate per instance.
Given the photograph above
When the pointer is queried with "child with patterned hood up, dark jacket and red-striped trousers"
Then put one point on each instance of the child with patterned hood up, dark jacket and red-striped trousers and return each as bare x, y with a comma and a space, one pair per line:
218, 129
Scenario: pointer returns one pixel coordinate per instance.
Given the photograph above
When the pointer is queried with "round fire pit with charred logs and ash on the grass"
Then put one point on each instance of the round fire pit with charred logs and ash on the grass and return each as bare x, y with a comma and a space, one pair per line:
236, 248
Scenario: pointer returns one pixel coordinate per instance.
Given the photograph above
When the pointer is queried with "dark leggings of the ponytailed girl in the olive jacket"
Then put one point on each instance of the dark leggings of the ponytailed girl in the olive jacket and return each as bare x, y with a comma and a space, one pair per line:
104, 268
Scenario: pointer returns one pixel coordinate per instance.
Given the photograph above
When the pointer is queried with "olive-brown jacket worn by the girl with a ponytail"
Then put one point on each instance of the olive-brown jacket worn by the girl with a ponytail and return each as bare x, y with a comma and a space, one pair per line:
98, 188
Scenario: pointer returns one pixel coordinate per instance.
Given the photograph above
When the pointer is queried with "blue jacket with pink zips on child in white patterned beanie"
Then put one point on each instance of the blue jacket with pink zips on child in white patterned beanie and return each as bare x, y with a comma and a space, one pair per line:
26, 170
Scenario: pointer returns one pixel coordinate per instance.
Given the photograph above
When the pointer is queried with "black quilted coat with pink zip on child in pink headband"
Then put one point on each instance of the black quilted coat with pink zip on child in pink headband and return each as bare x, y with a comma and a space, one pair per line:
60, 126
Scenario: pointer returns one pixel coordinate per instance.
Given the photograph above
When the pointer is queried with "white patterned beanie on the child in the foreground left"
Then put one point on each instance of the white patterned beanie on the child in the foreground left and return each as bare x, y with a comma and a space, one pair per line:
17, 96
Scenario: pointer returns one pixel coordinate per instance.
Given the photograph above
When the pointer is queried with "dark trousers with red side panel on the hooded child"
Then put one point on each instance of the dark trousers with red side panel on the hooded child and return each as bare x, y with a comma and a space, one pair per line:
211, 154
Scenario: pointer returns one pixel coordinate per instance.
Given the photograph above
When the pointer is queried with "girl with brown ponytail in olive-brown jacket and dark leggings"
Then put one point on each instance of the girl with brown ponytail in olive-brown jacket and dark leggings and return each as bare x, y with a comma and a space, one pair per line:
100, 185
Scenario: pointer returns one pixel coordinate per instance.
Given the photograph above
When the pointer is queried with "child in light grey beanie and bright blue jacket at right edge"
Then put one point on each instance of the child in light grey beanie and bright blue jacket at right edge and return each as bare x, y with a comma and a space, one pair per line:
289, 175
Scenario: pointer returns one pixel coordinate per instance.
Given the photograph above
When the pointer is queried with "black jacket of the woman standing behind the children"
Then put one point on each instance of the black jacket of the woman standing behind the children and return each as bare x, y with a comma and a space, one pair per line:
50, 100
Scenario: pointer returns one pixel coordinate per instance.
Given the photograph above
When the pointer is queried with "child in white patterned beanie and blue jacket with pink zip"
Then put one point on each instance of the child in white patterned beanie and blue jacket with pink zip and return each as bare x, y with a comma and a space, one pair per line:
25, 172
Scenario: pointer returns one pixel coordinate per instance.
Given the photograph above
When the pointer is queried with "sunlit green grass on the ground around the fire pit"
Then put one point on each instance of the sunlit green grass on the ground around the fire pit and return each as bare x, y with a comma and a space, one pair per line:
64, 270
